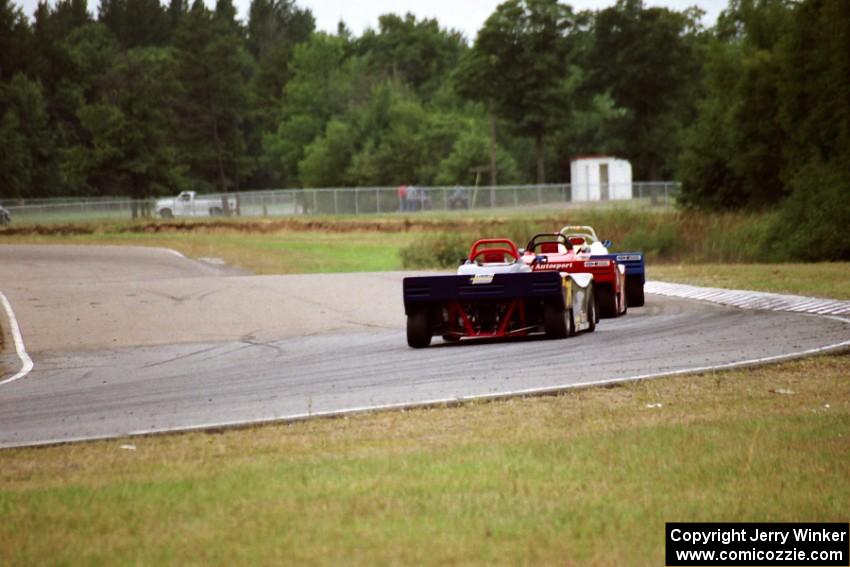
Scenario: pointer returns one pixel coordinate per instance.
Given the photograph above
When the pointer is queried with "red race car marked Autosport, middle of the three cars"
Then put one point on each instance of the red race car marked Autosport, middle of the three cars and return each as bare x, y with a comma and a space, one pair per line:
555, 252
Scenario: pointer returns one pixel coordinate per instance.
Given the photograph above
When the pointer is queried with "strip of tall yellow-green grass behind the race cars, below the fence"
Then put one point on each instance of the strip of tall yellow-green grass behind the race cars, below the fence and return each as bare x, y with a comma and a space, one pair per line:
432, 240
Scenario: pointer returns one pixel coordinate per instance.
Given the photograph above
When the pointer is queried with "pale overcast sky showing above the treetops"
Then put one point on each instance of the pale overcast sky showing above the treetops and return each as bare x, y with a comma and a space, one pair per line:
466, 16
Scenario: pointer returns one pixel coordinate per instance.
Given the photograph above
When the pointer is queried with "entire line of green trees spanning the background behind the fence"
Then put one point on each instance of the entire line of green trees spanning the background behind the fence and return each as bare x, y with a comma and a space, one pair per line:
148, 98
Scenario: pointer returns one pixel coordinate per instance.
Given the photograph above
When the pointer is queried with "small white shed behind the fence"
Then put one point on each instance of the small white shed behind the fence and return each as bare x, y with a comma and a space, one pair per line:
600, 178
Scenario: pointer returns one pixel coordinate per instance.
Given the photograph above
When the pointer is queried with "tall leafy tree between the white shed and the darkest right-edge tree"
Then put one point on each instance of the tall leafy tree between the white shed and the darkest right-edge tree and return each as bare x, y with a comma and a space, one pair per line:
733, 153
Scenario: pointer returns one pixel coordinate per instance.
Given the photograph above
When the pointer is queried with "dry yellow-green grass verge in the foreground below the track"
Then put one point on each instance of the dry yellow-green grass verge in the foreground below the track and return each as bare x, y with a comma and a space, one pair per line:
587, 477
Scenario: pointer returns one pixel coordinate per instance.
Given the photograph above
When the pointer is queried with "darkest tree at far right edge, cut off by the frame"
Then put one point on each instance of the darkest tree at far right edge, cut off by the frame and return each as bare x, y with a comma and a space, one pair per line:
814, 113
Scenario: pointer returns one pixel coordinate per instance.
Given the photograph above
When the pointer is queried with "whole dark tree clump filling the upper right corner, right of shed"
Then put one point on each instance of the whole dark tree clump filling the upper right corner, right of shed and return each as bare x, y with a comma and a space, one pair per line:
774, 125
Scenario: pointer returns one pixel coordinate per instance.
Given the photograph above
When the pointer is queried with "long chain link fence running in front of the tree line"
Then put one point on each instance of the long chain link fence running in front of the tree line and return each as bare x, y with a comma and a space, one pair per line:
331, 201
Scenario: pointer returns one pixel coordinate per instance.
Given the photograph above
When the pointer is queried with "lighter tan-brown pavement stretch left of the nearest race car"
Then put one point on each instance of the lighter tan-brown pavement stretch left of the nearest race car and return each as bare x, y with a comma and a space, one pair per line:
70, 298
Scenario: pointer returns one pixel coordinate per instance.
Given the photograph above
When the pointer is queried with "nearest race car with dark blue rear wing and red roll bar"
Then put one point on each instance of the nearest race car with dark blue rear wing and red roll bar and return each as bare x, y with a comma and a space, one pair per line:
496, 294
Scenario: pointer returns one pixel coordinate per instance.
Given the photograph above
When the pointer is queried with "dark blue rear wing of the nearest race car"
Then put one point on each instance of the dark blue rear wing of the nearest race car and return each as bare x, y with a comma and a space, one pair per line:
424, 290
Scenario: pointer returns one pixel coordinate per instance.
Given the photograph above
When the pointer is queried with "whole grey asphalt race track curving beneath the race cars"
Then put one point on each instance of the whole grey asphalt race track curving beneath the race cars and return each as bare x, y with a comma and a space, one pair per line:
138, 340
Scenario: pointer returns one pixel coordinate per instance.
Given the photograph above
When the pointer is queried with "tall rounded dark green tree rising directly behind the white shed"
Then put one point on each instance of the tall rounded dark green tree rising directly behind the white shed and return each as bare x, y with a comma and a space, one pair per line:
648, 60
